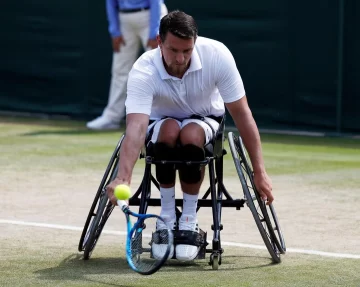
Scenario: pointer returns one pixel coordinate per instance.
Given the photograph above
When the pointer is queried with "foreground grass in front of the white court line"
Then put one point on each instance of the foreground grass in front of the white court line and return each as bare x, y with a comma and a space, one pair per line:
29, 263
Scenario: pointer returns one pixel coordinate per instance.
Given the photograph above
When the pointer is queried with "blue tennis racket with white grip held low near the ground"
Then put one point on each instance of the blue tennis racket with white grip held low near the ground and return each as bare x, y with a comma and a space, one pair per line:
140, 238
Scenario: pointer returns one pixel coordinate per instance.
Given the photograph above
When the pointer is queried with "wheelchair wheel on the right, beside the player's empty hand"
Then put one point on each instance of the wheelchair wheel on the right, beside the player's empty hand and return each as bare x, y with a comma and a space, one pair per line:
264, 215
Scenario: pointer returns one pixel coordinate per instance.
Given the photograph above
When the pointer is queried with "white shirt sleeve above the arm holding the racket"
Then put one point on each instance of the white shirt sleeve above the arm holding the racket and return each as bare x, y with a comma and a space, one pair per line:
139, 93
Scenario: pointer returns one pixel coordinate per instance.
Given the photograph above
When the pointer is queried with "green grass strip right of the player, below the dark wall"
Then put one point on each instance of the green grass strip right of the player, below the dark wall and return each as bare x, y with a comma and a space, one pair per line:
296, 154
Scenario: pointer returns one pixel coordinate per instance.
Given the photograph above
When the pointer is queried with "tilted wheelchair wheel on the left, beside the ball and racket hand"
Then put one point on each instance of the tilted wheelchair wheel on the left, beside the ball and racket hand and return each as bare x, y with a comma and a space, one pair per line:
101, 208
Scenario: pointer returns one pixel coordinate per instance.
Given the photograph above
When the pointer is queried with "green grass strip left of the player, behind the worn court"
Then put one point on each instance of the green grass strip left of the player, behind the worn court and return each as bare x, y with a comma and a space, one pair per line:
60, 143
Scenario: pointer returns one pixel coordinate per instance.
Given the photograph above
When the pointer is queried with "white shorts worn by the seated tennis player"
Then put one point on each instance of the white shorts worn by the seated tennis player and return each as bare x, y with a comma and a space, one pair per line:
205, 125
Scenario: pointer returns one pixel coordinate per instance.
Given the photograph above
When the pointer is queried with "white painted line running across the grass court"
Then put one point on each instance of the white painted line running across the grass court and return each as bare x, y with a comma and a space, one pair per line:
291, 250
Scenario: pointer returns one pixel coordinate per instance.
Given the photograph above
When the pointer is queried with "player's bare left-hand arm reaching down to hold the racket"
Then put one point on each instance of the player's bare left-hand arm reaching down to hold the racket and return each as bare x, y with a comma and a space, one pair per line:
136, 127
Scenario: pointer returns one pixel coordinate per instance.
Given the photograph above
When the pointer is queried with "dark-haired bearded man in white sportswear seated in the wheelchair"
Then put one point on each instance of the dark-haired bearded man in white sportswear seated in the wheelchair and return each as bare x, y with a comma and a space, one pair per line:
183, 87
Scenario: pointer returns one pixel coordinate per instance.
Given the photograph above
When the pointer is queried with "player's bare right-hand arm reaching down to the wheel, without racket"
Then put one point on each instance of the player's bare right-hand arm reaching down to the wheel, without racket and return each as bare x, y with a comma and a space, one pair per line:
245, 123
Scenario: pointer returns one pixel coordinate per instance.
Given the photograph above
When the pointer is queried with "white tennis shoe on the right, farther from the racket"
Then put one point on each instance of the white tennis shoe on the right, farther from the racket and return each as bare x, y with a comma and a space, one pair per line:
187, 252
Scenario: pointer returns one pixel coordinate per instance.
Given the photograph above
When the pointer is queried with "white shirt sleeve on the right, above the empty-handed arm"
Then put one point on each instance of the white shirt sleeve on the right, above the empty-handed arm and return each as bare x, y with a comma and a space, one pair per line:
228, 81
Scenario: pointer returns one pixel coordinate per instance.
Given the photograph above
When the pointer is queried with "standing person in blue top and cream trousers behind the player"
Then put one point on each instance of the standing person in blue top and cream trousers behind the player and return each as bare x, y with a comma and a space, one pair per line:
133, 24
